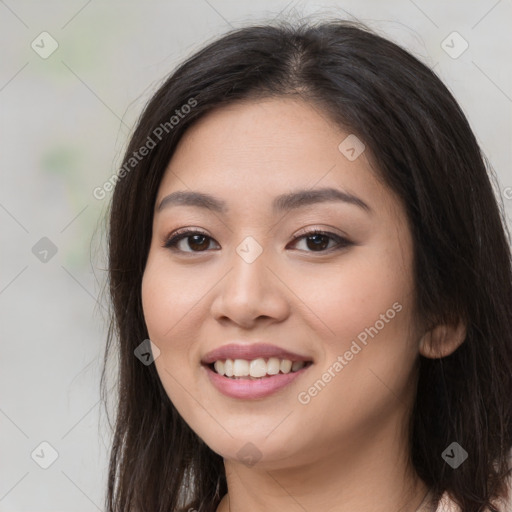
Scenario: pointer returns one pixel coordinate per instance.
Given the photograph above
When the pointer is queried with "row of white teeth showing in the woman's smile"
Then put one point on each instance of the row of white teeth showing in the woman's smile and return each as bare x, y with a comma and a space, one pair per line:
256, 368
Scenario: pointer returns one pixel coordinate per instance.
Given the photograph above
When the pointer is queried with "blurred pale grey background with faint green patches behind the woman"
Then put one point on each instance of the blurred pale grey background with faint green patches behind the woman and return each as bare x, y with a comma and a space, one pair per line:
74, 77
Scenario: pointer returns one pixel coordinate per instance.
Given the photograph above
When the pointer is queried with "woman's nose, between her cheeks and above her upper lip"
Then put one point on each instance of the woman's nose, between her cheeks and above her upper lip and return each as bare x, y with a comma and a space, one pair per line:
250, 292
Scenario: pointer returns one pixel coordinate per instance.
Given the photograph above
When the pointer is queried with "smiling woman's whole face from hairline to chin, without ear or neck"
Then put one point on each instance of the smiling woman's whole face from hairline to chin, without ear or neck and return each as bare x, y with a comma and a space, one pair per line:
341, 302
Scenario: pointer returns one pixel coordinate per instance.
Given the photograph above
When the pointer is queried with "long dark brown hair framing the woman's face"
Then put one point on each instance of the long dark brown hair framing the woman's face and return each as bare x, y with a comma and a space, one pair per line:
428, 155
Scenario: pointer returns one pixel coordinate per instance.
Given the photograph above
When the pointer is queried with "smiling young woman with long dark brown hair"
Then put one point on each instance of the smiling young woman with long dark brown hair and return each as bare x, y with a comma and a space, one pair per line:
304, 228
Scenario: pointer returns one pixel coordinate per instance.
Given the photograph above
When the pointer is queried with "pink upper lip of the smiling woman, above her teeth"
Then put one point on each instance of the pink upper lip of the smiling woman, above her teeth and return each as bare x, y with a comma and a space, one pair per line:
250, 352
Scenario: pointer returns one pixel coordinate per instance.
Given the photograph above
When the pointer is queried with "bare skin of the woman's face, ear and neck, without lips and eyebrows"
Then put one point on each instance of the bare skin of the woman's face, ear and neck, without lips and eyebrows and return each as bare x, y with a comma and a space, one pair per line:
346, 449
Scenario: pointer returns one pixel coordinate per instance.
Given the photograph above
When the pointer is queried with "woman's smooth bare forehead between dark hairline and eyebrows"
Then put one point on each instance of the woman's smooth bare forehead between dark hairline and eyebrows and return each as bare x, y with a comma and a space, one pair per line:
255, 150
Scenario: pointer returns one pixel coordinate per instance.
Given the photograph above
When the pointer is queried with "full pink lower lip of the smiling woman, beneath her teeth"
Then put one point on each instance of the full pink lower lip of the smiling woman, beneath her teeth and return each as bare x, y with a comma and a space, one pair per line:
252, 389
